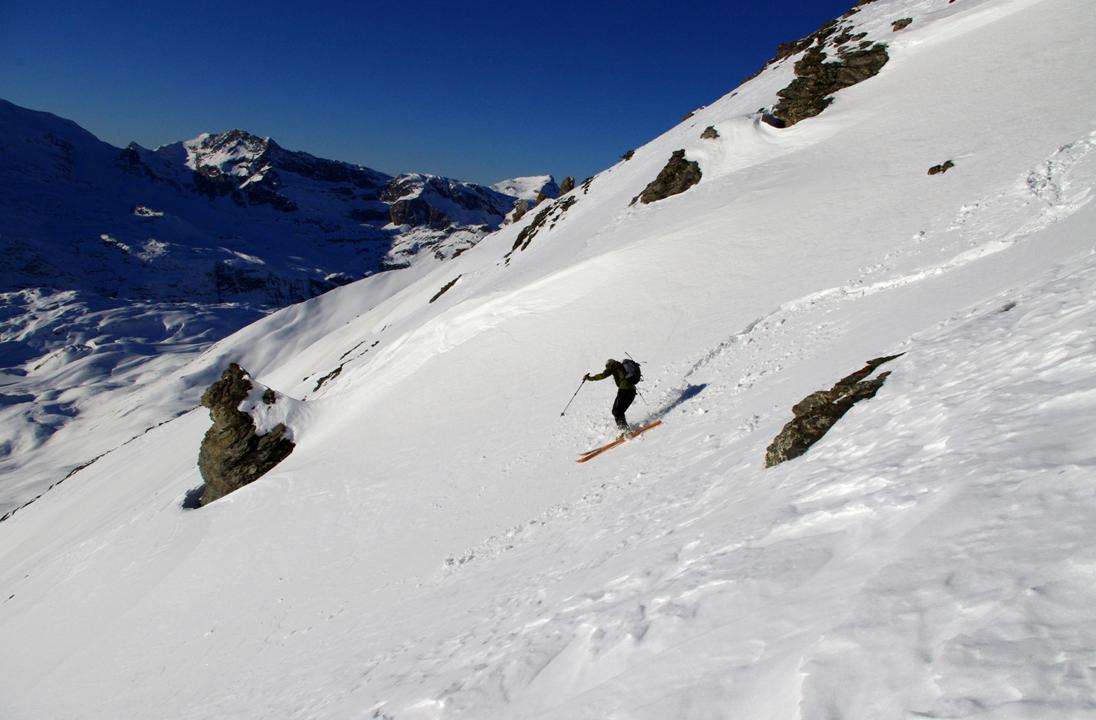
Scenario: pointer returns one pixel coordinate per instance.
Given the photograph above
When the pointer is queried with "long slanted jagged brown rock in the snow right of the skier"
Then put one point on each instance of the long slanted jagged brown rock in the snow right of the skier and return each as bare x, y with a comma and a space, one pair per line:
818, 413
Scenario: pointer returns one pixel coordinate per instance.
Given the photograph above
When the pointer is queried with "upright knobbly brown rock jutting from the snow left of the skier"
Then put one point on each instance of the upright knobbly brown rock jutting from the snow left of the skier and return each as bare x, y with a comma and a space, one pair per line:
234, 453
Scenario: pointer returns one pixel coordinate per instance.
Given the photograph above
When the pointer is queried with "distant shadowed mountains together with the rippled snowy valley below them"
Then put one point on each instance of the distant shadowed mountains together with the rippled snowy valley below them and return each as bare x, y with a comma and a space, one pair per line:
122, 266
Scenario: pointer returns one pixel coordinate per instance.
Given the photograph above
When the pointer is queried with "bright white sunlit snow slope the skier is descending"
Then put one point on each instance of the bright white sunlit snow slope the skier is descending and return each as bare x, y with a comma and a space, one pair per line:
432, 551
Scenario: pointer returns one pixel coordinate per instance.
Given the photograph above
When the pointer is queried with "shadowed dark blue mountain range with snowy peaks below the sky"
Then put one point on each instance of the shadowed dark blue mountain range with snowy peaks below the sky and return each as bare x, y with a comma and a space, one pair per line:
223, 218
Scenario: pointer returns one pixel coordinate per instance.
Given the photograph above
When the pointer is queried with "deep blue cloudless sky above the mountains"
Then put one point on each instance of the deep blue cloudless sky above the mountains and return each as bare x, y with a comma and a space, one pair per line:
474, 90
